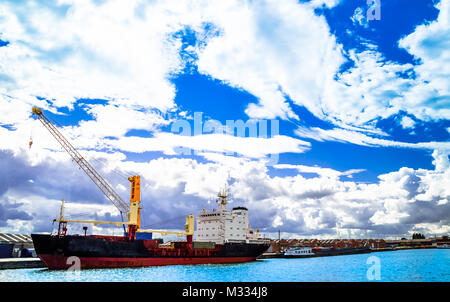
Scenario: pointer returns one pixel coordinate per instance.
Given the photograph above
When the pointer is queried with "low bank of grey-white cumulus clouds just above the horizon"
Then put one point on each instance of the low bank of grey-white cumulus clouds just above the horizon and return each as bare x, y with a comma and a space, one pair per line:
323, 205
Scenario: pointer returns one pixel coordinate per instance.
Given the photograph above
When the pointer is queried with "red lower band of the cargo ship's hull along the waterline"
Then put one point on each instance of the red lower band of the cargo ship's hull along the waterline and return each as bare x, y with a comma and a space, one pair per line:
61, 262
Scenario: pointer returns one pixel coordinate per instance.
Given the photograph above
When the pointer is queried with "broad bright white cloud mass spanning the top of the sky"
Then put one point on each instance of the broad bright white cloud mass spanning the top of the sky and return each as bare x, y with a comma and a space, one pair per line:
126, 53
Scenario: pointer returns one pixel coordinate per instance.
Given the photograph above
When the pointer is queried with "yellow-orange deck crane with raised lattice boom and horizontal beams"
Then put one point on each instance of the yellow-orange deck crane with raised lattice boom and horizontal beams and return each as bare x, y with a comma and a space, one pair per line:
132, 211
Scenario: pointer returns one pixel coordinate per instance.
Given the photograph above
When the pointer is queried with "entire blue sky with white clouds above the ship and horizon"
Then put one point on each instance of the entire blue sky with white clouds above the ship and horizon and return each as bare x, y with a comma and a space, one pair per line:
360, 104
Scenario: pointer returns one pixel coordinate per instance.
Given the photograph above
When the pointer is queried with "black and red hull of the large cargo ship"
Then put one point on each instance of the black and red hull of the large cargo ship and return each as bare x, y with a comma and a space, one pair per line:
66, 252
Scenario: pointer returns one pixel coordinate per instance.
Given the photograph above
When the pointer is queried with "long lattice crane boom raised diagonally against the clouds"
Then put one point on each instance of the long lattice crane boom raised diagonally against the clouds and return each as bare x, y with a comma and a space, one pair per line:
101, 183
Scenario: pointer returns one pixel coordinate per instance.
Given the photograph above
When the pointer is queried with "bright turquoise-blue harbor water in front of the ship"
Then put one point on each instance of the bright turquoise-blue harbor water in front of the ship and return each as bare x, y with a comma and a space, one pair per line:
428, 265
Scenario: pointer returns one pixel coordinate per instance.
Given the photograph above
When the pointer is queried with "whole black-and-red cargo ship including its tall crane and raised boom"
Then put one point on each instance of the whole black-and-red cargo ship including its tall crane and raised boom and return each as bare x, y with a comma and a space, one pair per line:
222, 236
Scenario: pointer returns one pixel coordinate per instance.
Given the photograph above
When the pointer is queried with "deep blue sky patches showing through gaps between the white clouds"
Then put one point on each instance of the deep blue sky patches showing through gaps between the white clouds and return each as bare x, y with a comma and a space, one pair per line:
217, 100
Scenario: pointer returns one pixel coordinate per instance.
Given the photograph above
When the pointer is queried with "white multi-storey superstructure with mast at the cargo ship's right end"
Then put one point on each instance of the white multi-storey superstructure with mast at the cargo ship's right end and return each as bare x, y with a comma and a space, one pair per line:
222, 226
